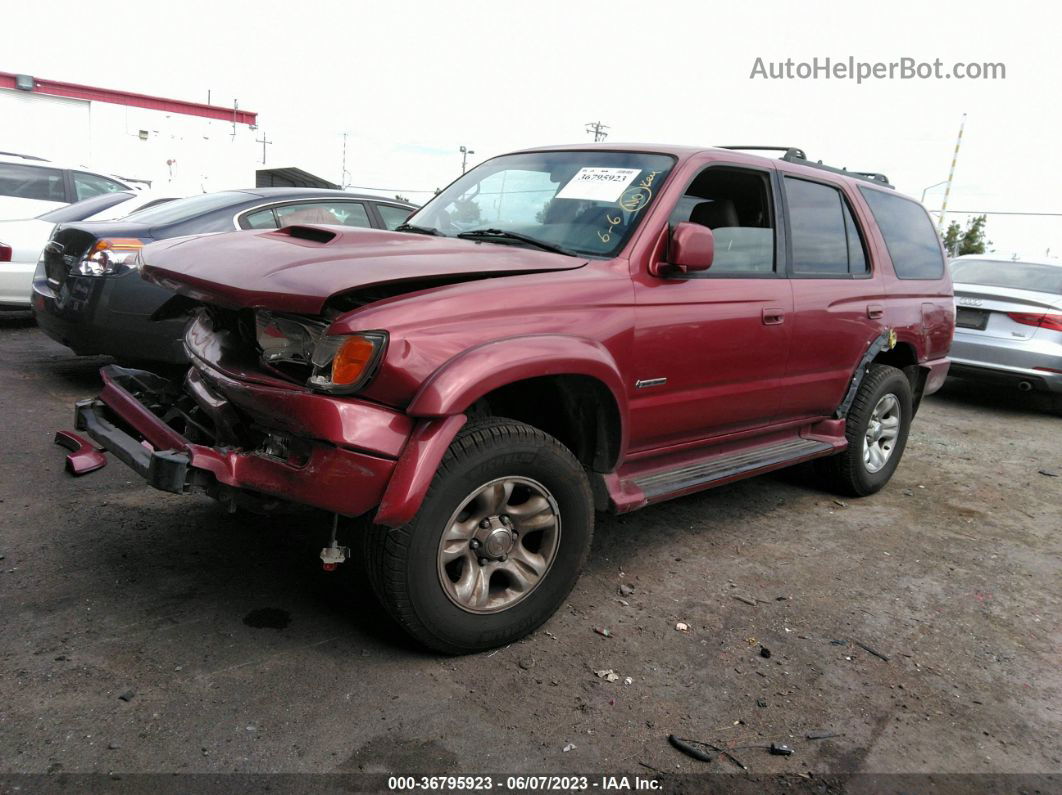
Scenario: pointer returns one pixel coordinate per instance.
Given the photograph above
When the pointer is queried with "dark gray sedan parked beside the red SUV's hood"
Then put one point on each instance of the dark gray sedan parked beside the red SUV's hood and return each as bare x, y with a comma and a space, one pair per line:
87, 298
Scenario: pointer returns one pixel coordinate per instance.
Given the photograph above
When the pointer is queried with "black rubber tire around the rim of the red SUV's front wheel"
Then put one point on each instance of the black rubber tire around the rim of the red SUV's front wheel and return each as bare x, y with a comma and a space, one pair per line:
403, 563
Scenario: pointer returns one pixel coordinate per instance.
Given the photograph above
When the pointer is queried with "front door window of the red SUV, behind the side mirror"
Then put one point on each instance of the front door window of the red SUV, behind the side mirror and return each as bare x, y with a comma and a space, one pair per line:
736, 205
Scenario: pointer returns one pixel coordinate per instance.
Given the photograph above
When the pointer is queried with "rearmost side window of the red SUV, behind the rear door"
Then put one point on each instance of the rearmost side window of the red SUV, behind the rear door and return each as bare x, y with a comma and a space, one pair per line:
910, 235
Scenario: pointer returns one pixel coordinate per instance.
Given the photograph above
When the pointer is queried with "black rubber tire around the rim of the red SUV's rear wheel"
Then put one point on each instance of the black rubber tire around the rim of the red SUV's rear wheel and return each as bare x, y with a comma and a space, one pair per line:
847, 472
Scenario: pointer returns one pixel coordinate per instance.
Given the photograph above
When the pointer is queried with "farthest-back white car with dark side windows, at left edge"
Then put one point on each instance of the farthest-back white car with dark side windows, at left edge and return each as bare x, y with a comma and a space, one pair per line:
30, 186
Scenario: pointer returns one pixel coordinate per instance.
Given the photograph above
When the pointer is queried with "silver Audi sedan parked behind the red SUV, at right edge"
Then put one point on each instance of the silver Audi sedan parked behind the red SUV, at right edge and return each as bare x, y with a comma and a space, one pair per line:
1008, 325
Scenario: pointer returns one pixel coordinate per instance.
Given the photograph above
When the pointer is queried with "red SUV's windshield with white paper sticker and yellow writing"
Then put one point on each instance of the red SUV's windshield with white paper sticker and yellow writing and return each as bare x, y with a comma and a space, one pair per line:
586, 203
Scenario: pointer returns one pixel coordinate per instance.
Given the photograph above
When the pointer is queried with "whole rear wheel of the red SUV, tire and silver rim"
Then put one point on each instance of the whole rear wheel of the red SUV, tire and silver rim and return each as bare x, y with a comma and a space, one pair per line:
877, 428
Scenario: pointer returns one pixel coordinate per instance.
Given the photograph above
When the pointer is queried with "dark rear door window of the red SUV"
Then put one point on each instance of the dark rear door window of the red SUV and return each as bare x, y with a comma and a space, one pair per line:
826, 239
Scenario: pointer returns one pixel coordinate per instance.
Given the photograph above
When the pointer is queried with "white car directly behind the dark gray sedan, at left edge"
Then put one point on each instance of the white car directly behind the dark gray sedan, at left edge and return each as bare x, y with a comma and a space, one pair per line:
22, 241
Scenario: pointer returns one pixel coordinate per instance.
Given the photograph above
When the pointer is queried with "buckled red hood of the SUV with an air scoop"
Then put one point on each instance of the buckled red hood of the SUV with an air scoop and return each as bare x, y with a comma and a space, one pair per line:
299, 268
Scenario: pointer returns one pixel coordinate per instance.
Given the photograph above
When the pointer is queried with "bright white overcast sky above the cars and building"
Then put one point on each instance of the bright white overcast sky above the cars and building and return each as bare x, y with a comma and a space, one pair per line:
413, 82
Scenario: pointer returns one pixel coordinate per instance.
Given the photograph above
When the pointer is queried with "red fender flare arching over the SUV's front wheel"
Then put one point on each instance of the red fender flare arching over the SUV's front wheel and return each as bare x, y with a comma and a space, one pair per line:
459, 384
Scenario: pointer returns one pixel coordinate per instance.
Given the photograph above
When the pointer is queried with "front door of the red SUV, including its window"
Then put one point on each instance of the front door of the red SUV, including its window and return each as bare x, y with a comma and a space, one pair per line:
711, 349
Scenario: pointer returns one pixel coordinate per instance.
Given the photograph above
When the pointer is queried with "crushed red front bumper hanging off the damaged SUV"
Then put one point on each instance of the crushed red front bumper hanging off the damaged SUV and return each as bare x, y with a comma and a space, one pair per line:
127, 420
